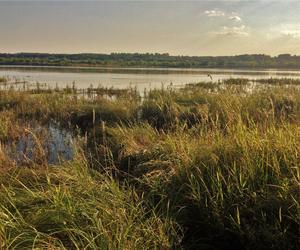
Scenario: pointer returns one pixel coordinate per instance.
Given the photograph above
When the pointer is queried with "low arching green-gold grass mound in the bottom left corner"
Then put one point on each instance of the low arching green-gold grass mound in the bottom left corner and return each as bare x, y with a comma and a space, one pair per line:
75, 208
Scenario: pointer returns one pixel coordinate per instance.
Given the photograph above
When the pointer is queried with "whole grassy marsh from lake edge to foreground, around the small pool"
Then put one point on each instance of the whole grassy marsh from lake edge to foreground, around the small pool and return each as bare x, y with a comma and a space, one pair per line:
209, 166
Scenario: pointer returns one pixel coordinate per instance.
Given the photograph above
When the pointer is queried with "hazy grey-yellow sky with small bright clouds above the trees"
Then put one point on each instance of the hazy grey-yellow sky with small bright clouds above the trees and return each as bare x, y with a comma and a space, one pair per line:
178, 27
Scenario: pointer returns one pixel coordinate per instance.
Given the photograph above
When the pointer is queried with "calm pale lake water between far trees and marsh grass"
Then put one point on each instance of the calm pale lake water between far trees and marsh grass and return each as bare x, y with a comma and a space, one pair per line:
124, 77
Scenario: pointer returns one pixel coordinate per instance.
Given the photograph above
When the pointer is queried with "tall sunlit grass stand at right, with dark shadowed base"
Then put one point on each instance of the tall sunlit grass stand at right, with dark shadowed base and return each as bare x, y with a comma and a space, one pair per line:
239, 190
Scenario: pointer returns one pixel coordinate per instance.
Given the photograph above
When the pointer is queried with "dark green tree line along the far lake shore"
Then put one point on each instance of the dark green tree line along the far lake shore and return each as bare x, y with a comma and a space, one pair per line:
151, 60
